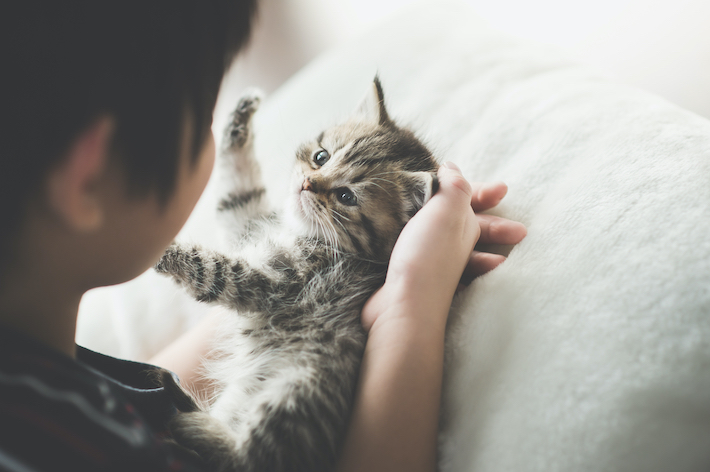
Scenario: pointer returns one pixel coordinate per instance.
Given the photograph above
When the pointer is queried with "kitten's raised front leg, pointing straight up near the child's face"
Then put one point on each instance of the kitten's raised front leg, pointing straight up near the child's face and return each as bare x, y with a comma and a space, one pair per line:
244, 198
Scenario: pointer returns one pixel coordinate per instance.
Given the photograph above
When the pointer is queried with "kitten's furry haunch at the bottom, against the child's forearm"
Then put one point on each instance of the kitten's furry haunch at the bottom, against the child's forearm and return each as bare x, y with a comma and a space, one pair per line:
296, 423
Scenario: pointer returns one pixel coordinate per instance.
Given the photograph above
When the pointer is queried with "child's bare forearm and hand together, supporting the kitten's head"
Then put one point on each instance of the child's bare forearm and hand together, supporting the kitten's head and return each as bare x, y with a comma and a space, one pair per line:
394, 423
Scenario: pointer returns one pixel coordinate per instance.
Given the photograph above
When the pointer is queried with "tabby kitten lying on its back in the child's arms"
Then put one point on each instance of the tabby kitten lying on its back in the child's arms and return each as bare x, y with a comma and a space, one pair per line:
298, 280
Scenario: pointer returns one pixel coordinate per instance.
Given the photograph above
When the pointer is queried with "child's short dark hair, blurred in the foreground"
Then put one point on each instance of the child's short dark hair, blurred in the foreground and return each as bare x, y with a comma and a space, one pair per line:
148, 63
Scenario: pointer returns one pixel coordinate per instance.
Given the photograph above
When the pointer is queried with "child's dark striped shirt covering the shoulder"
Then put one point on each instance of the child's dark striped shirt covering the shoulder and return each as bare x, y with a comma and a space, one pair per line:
93, 413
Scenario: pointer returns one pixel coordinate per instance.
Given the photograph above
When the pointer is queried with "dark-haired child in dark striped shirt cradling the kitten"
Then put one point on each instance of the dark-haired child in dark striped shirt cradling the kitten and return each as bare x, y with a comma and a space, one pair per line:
107, 147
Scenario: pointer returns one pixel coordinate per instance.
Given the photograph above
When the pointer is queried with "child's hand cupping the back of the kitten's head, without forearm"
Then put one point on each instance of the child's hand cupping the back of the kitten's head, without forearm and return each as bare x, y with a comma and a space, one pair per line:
436, 246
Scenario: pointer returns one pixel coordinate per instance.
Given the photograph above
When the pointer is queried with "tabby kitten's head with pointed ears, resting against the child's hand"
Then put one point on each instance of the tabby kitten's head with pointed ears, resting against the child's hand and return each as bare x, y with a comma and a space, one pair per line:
357, 184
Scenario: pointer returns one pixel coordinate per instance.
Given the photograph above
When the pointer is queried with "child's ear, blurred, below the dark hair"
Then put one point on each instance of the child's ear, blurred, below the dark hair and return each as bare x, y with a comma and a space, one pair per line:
72, 187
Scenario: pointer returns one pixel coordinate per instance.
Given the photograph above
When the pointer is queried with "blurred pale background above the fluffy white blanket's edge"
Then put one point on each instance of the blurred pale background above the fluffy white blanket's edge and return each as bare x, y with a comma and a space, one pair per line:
662, 46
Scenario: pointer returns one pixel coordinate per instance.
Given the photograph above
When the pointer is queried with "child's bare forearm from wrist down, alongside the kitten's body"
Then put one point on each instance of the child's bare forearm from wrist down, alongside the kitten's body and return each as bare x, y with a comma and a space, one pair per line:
395, 419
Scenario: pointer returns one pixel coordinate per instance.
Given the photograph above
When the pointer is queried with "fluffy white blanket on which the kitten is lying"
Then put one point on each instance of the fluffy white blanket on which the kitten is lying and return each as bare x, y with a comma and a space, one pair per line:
589, 348
